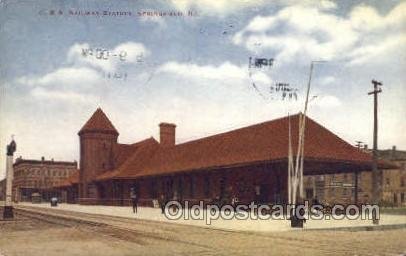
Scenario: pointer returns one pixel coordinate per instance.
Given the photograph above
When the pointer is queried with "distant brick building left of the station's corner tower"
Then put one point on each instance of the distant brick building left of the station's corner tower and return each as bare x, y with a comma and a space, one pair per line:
40, 176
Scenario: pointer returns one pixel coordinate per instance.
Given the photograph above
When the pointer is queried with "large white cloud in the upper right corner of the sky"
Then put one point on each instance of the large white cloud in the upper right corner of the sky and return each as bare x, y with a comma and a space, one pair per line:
313, 32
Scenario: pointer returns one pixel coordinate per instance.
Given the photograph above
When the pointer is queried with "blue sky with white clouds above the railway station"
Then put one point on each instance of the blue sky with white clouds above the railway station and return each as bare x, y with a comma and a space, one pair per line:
193, 71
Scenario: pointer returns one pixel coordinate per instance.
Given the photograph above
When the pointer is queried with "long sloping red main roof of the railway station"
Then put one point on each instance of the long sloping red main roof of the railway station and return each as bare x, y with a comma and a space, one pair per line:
262, 142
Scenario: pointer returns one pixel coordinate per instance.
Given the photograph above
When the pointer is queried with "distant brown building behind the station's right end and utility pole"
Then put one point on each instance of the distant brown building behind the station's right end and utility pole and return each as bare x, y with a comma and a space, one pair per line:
340, 188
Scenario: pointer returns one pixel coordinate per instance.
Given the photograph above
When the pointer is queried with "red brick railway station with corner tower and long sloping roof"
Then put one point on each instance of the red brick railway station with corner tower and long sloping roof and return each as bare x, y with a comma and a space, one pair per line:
248, 163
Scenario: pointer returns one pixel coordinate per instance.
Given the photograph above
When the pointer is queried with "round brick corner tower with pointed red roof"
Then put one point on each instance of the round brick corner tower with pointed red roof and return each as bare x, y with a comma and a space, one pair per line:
98, 138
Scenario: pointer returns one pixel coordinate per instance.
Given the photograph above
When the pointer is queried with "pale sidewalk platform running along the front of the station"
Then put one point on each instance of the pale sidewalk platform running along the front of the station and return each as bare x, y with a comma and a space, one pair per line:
147, 213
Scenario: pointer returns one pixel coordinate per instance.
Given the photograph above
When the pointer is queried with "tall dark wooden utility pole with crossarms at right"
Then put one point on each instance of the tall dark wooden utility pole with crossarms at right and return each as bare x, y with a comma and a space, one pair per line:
375, 174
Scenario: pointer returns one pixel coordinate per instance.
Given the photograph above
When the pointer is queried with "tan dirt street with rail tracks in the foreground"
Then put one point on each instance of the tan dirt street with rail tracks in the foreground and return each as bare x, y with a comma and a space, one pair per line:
28, 236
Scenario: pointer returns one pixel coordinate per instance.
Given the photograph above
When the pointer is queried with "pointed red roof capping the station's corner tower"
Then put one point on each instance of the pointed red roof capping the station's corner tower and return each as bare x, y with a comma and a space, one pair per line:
99, 122
